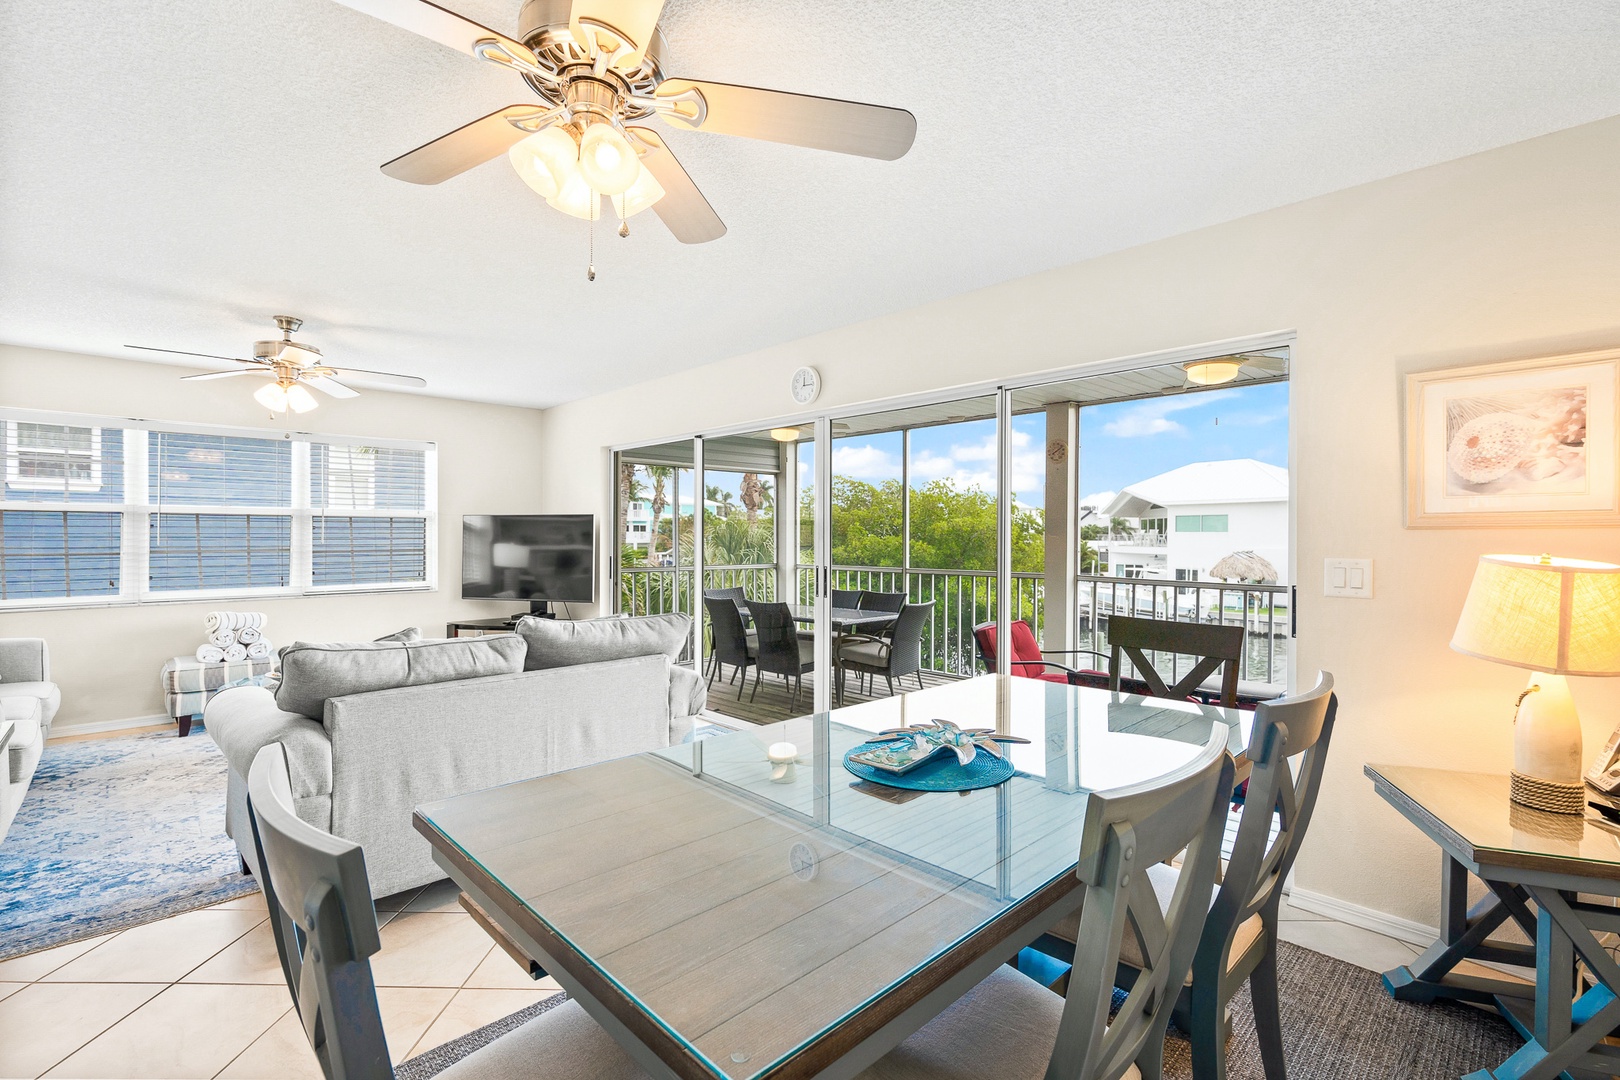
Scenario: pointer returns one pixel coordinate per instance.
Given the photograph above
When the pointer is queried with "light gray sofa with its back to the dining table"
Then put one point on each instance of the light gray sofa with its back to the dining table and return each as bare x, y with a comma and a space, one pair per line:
367, 750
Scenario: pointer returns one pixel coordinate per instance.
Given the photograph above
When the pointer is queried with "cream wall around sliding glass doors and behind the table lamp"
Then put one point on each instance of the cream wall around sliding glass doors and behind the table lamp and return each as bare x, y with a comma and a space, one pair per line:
1496, 257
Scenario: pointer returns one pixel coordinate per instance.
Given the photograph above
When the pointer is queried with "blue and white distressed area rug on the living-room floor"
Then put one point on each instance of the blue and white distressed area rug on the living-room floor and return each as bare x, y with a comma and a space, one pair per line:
116, 833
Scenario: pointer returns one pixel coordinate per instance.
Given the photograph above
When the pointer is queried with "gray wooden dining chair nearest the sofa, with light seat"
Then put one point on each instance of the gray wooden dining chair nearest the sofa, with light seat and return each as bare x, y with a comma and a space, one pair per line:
326, 933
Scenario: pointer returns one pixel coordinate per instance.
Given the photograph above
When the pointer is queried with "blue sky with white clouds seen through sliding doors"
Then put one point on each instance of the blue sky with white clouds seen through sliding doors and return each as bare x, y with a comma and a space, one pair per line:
1120, 444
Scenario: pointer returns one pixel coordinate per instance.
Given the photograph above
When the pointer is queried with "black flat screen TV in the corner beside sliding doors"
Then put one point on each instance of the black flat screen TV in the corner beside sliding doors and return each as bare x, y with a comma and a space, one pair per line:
540, 559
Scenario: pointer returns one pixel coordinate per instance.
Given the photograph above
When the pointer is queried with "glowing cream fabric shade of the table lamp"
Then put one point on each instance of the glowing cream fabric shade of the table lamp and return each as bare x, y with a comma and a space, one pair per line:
1554, 616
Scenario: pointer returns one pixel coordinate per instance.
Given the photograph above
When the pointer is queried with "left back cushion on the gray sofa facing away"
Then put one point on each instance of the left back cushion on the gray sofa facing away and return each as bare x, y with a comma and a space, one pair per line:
315, 673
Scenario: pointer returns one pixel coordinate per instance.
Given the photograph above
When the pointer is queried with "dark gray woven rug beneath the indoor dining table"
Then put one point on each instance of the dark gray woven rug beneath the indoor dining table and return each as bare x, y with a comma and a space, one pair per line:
1337, 1026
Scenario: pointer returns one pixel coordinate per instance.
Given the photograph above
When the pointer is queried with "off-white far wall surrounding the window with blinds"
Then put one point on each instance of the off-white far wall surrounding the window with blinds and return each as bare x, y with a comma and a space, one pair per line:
108, 660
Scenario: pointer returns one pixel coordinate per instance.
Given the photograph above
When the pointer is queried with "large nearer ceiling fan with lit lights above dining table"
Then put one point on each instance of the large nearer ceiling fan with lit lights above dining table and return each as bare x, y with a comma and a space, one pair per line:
597, 67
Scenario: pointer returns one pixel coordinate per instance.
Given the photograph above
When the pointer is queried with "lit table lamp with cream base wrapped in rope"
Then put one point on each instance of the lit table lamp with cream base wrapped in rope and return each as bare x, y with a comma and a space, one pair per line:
1556, 618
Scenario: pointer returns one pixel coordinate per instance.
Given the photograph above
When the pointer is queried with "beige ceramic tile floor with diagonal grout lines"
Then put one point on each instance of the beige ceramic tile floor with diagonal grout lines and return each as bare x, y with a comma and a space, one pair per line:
202, 995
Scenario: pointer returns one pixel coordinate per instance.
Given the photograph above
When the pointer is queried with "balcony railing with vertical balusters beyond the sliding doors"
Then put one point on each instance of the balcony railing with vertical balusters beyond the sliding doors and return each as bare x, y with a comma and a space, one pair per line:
966, 598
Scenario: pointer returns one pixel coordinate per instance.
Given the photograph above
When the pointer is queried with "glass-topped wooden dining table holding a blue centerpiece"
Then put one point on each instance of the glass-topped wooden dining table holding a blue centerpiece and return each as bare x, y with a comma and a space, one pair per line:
741, 908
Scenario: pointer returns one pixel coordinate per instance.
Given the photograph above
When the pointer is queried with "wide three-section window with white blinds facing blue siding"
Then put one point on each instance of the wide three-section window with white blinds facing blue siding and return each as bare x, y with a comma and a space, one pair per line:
101, 512
